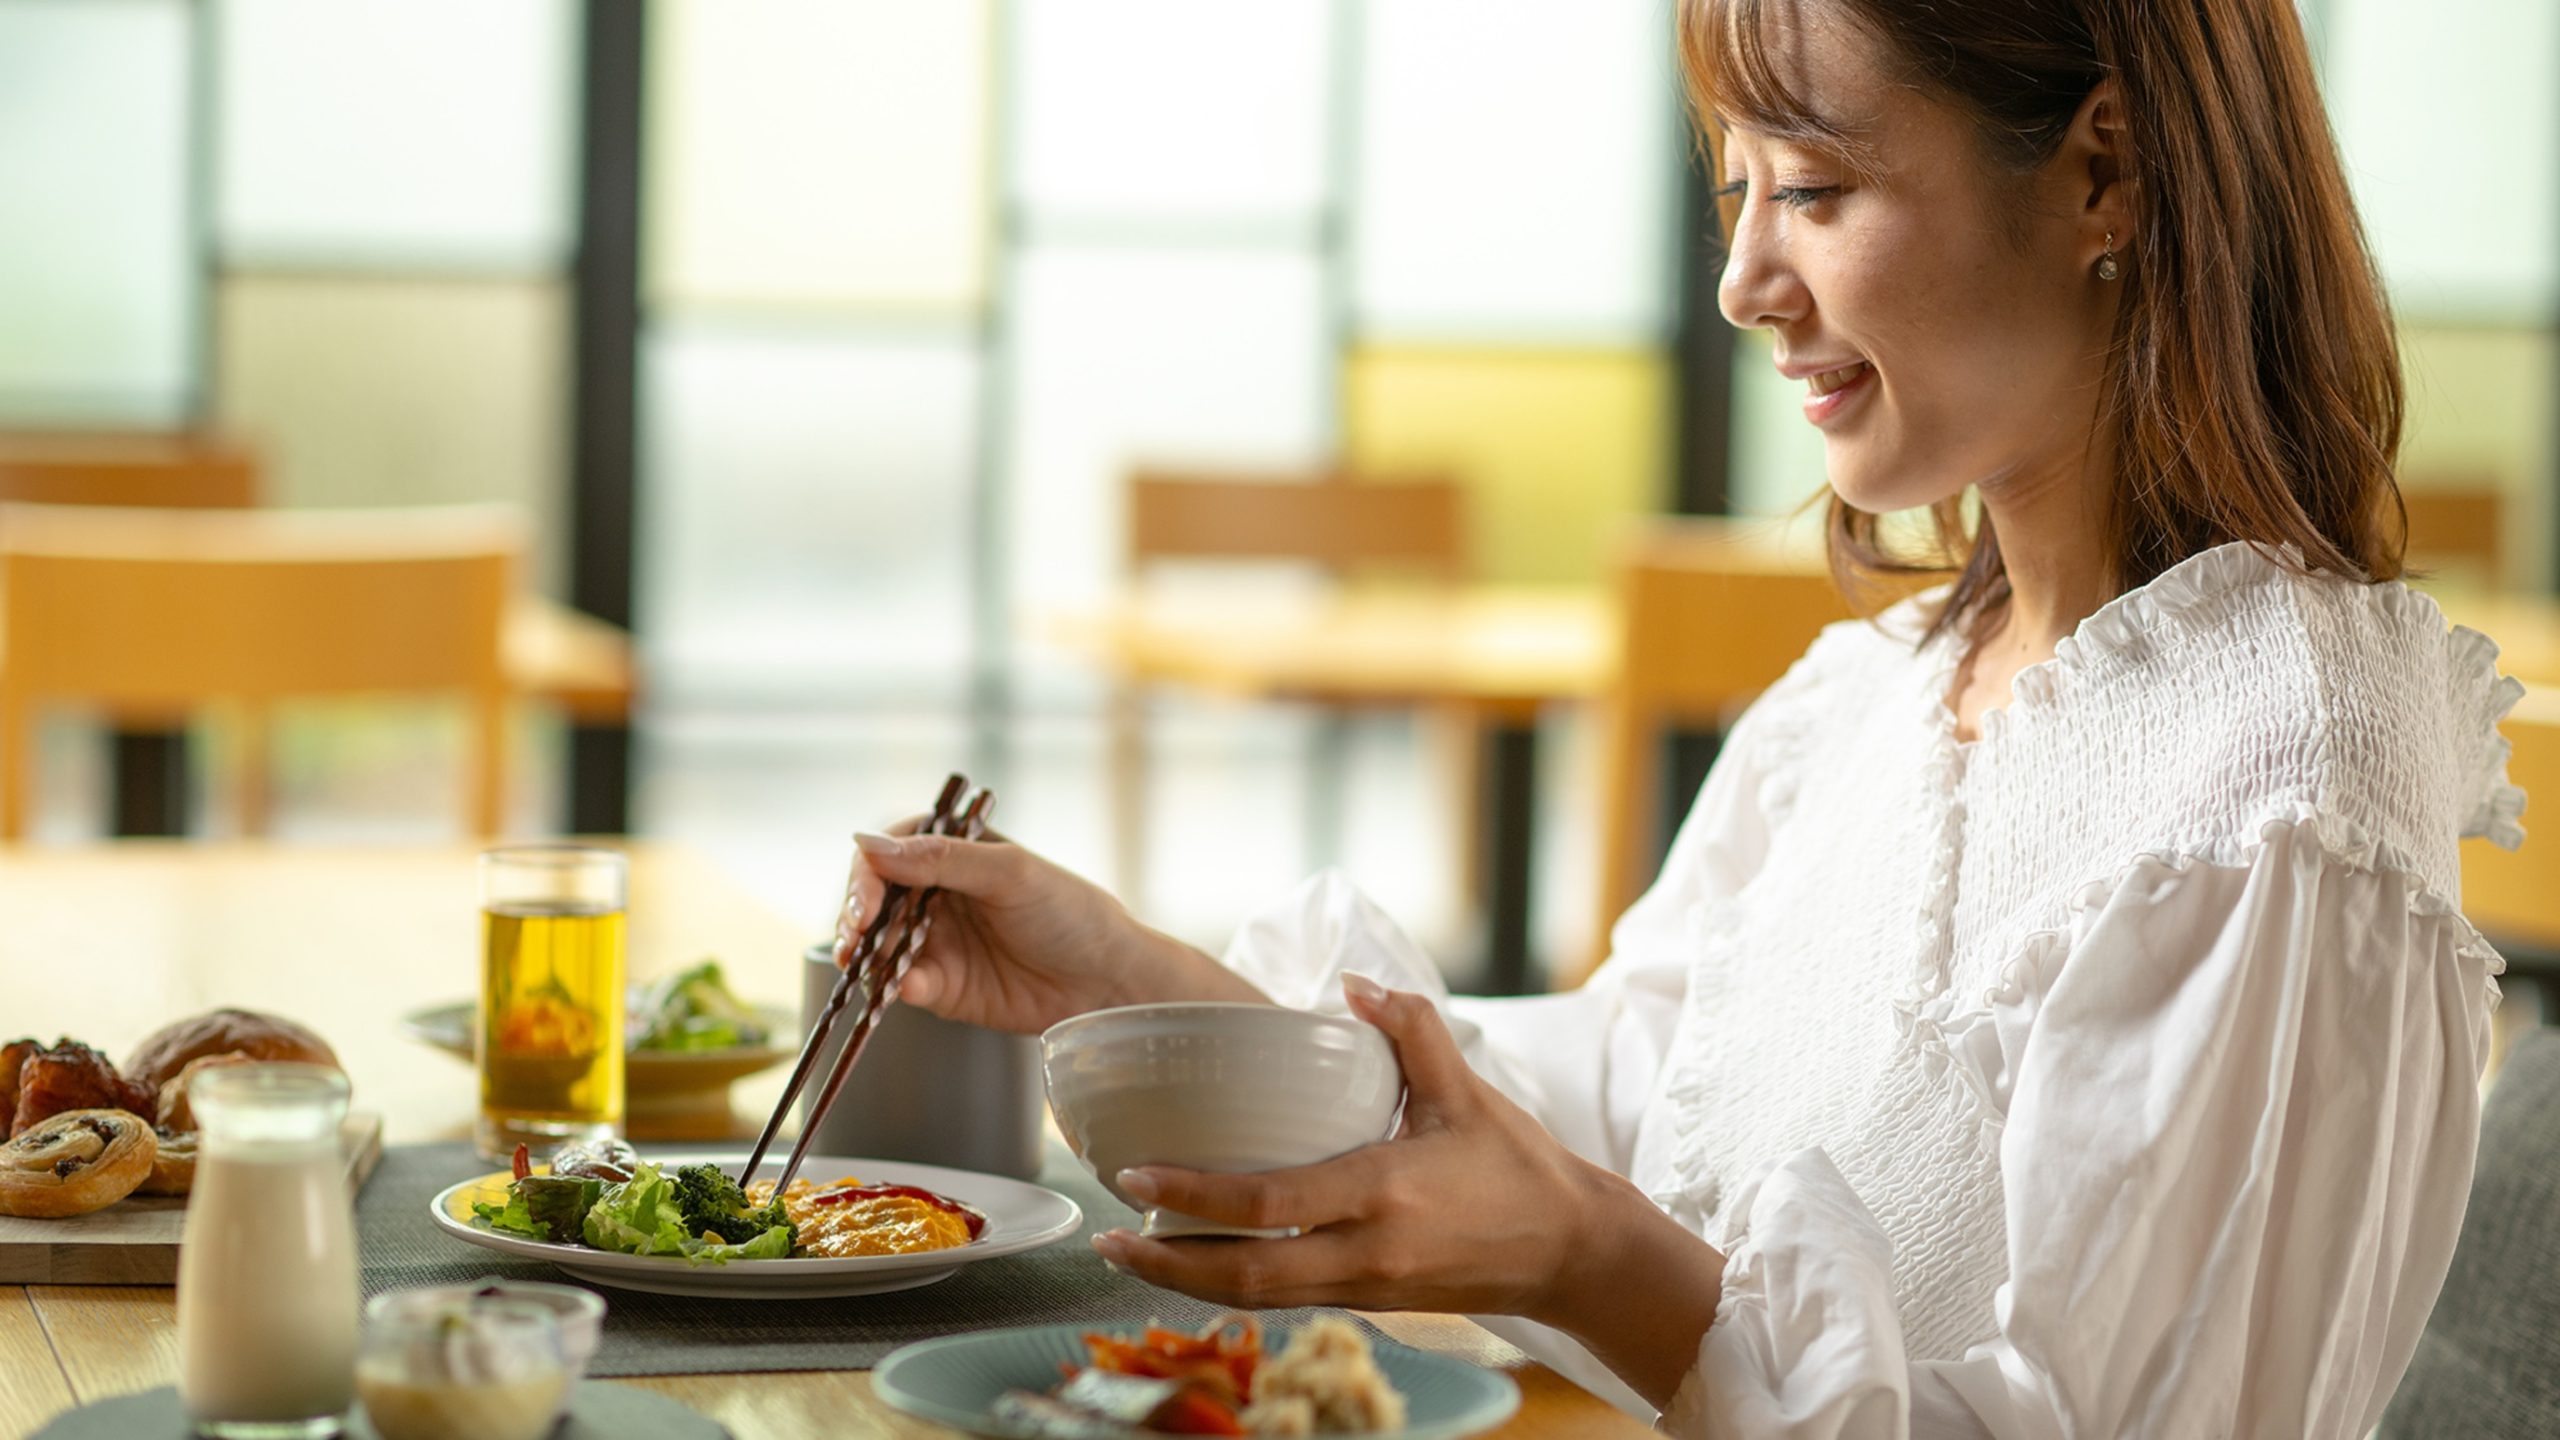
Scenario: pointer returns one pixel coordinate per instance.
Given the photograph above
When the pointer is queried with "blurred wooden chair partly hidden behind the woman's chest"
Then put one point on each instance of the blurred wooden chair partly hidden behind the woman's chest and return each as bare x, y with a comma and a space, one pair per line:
1711, 614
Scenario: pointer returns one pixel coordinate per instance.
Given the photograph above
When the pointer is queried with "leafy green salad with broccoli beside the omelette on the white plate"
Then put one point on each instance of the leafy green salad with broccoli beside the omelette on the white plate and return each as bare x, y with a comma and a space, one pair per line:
698, 1216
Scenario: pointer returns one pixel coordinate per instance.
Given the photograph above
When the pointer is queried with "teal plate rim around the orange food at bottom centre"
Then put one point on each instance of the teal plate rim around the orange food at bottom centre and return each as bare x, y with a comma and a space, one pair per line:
961, 1377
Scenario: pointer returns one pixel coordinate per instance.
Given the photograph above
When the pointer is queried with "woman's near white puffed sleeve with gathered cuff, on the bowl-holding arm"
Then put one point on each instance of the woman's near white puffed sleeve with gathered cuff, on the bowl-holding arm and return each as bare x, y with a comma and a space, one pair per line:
2241, 1124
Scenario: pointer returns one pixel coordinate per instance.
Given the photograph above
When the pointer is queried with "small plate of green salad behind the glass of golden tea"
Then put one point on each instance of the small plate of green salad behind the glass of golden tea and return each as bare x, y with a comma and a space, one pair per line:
685, 1036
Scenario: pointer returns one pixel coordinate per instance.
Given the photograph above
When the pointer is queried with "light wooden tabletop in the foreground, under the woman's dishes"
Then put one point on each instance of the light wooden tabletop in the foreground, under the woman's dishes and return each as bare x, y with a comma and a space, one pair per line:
106, 944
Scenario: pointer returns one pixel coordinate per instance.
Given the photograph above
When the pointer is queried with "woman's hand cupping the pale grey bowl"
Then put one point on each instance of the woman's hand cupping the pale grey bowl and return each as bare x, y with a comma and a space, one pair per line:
1471, 1208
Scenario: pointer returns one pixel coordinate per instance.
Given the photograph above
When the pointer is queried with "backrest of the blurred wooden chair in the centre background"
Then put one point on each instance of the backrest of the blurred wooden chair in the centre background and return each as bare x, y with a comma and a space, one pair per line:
1335, 519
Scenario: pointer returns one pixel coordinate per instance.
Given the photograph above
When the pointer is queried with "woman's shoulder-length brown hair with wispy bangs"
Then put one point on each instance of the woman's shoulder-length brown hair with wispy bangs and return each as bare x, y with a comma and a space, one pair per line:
2254, 383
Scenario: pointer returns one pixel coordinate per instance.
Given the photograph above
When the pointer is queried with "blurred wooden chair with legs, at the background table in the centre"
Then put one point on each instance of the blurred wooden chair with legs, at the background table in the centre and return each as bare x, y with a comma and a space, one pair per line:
1338, 521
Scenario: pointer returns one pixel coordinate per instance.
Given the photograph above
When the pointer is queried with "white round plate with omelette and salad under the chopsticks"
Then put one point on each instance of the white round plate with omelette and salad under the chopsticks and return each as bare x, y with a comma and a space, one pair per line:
680, 1223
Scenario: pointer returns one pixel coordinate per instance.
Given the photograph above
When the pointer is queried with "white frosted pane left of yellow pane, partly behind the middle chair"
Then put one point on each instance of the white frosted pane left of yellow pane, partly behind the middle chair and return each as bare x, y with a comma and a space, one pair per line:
1148, 355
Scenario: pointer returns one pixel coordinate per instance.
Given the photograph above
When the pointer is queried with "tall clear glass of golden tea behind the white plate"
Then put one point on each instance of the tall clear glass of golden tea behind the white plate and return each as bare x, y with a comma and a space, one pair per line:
549, 1034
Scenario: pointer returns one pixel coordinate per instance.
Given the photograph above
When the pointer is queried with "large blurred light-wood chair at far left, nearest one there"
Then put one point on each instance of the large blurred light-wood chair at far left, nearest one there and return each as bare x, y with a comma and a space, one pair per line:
157, 616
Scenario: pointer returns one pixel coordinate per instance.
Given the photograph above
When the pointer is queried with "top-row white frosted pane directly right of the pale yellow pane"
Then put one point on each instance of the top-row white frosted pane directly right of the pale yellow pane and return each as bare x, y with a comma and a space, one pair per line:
1171, 109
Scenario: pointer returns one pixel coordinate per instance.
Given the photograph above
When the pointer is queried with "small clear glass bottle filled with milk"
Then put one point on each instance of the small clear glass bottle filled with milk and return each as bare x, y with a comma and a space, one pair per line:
268, 1264
